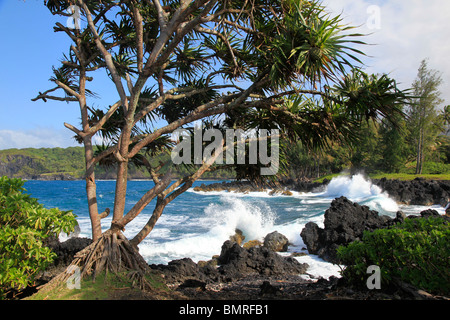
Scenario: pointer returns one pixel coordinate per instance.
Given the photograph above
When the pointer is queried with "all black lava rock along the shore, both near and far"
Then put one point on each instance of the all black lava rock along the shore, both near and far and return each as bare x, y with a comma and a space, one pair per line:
255, 270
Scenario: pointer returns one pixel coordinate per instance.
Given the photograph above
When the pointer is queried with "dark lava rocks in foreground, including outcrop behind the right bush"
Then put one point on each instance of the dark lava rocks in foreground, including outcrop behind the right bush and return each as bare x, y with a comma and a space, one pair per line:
261, 273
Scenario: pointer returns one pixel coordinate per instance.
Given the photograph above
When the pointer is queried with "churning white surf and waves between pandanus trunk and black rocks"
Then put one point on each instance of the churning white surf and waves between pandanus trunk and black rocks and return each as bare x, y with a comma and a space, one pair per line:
198, 228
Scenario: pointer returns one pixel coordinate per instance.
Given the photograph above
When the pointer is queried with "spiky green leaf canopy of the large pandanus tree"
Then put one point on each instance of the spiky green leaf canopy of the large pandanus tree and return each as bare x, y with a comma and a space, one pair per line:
279, 47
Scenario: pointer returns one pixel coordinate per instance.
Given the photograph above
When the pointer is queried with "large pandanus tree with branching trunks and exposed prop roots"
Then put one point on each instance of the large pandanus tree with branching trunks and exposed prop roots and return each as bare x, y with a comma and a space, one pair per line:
264, 64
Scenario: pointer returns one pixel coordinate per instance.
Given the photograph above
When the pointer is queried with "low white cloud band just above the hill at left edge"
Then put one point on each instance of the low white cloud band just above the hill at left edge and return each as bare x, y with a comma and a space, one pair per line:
36, 138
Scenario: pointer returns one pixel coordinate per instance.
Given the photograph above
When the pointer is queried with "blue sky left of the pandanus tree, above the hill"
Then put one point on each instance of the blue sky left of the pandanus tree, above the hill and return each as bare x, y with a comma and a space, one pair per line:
29, 49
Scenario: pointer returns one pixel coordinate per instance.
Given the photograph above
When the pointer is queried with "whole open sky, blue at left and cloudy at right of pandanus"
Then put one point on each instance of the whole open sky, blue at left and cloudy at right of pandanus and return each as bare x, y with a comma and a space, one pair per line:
400, 33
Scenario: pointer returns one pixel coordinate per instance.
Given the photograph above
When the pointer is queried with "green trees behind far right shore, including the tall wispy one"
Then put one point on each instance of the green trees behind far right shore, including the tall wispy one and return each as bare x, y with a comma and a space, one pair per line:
414, 141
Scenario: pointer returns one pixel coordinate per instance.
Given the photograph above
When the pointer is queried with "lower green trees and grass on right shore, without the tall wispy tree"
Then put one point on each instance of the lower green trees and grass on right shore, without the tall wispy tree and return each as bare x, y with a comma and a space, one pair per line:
372, 155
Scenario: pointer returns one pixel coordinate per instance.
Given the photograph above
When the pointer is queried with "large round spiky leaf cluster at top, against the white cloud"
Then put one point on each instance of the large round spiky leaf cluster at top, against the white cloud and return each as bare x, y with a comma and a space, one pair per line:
307, 45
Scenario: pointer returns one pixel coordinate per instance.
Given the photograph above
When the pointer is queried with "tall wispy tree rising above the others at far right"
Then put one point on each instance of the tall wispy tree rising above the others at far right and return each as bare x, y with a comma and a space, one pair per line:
424, 121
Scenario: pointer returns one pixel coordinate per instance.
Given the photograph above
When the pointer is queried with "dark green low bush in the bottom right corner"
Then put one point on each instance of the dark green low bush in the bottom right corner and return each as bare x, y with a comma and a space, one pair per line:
415, 252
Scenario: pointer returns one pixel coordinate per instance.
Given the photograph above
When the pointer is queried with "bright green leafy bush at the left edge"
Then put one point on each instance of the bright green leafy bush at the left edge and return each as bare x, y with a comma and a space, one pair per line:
24, 225
